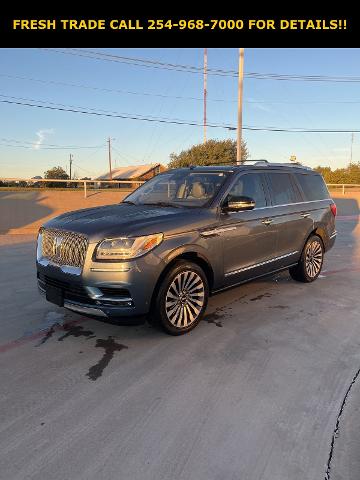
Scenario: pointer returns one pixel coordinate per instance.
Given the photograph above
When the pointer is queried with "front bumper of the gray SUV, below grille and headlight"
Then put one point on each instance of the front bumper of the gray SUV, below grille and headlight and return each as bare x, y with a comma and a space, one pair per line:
104, 290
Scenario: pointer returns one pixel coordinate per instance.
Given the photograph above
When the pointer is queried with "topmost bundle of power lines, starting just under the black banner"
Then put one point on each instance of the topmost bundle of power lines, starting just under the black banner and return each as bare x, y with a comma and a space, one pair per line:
198, 70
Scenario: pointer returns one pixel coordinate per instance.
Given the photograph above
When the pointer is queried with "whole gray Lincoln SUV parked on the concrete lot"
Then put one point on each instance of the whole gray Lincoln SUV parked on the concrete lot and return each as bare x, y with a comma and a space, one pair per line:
184, 235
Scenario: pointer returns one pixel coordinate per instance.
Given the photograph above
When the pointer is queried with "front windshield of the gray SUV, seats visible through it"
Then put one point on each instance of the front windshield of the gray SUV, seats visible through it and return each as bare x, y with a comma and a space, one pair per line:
179, 188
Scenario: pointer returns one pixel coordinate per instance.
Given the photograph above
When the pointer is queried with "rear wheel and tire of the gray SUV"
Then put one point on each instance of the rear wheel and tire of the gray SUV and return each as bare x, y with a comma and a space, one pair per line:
310, 264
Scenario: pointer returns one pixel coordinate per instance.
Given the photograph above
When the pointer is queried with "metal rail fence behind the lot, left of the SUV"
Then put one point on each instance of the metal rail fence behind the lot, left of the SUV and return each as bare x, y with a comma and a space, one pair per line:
84, 184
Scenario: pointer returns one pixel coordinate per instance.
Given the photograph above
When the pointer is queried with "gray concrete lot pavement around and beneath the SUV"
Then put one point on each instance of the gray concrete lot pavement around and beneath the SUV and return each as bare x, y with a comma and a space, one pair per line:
254, 392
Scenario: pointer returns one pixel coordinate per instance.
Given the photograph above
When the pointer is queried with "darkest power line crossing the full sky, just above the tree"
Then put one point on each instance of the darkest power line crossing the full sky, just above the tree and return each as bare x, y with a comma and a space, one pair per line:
182, 122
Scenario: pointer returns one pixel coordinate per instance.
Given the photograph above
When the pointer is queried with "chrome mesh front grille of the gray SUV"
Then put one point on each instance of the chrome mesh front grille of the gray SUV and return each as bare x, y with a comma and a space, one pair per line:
64, 248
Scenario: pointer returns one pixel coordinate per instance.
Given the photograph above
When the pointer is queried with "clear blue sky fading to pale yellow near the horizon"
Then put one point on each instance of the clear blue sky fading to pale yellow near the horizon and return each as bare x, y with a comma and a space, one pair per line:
33, 139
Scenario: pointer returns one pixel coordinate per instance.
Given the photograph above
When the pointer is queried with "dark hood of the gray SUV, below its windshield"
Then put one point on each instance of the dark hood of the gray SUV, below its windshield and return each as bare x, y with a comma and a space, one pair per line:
130, 220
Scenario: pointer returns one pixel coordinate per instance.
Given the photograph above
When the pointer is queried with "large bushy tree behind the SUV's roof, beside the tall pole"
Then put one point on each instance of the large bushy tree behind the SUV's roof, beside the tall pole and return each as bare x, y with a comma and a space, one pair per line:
213, 152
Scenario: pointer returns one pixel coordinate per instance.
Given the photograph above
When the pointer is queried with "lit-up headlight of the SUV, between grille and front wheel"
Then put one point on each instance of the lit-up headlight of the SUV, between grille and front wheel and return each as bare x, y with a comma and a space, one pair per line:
126, 248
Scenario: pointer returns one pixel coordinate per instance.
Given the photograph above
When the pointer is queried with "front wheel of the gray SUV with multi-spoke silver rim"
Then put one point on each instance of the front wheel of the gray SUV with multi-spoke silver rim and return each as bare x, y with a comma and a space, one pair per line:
181, 299
